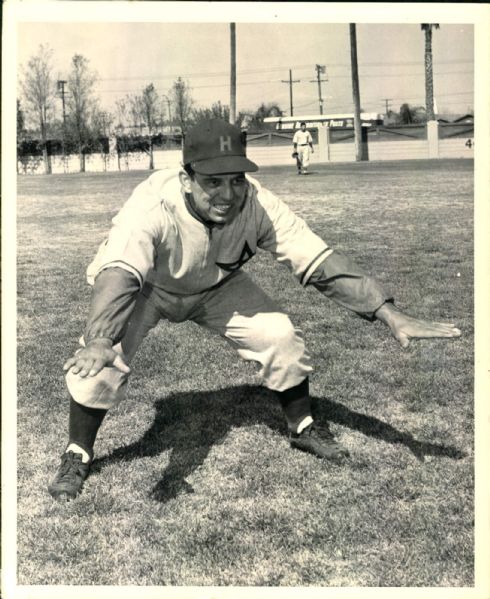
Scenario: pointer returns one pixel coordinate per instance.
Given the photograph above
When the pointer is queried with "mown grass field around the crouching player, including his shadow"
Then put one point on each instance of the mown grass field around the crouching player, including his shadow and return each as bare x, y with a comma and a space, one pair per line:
195, 483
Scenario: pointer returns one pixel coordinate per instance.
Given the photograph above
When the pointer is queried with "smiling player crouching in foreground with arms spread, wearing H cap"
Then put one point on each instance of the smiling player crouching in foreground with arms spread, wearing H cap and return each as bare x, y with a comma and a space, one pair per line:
175, 252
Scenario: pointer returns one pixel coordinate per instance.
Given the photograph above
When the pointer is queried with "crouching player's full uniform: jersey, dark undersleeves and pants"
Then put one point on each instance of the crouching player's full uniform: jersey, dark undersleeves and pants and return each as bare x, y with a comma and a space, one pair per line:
161, 261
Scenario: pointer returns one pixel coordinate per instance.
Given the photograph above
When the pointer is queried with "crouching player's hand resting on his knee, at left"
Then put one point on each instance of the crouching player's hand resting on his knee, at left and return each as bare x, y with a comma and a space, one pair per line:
90, 360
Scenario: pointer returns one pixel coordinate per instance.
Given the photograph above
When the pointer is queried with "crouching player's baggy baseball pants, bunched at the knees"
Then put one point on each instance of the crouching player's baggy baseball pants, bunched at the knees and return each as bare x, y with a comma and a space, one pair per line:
237, 309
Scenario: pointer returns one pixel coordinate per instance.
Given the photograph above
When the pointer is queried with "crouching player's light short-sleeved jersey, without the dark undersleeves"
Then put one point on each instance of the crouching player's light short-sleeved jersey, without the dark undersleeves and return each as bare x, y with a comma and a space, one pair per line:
160, 241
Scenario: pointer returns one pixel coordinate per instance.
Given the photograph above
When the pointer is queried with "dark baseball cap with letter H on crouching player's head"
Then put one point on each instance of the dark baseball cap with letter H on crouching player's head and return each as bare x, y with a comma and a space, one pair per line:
214, 147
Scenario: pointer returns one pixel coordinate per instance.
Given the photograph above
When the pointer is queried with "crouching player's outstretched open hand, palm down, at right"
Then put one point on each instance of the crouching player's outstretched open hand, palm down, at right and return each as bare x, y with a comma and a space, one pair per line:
404, 327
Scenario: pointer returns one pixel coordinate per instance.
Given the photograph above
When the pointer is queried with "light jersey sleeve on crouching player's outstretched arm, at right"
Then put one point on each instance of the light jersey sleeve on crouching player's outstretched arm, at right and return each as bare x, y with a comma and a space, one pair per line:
288, 237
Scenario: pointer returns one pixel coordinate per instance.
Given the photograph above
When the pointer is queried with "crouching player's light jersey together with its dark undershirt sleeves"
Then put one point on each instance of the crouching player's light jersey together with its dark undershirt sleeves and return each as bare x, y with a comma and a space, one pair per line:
159, 242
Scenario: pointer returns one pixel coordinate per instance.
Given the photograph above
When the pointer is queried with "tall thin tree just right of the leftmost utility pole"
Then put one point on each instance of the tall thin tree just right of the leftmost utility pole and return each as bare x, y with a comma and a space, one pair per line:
80, 103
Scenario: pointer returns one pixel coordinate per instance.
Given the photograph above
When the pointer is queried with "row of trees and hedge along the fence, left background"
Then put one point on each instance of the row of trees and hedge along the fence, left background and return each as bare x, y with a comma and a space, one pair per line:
64, 116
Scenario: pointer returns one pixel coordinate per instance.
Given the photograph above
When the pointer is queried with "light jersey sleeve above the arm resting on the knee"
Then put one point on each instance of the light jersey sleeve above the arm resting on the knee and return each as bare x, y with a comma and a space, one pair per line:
137, 231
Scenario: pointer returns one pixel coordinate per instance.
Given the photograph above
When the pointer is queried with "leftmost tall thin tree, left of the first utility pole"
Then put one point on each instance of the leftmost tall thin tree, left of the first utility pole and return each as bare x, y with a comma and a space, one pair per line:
38, 88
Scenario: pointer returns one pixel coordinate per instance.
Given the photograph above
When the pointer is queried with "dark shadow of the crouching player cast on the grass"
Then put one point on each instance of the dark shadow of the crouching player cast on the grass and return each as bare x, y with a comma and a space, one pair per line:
190, 424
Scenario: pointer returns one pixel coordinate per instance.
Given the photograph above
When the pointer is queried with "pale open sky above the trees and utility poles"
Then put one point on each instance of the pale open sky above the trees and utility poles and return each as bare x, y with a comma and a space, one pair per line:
129, 55
